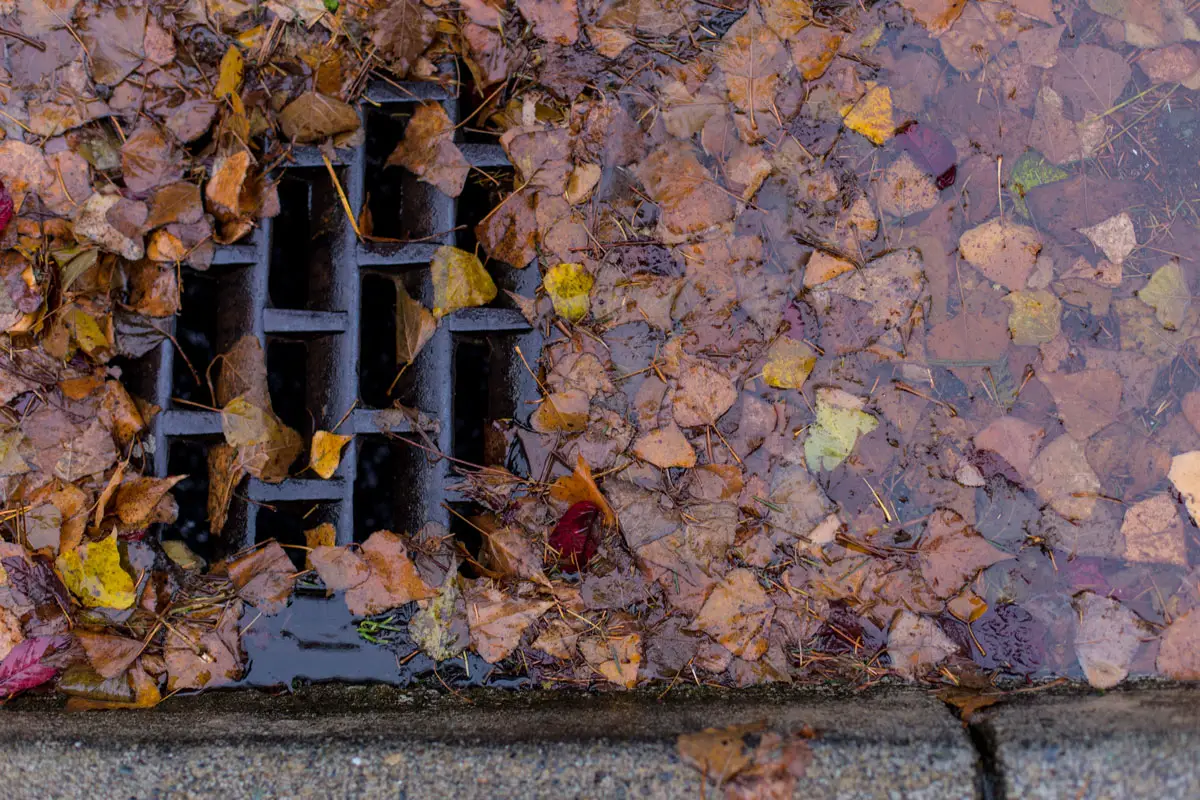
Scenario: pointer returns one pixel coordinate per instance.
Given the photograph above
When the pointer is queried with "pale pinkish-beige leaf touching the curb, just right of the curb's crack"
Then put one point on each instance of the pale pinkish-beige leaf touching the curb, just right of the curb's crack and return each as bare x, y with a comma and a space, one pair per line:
1107, 639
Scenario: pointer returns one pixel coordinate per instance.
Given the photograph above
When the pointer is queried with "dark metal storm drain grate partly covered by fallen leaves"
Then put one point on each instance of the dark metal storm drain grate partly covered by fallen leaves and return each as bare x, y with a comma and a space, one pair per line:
323, 305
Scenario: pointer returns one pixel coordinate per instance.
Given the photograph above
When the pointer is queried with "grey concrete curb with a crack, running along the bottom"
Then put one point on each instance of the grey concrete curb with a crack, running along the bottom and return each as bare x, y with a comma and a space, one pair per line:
386, 743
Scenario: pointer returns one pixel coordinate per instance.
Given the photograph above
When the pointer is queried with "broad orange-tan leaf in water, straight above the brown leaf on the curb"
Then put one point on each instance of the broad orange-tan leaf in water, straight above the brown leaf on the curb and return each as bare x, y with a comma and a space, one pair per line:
739, 616
